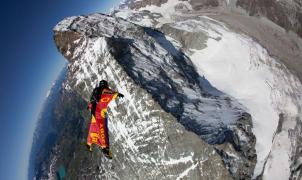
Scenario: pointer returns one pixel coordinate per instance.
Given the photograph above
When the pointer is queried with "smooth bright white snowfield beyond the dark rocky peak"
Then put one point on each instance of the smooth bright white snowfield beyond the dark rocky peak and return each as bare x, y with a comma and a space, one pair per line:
240, 67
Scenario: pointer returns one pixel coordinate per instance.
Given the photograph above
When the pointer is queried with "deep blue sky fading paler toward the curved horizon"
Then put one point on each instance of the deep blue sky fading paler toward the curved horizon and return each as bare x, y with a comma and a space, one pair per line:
29, 63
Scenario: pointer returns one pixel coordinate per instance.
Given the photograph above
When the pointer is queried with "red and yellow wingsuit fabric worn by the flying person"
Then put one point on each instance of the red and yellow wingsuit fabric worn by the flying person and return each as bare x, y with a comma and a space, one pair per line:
98, 130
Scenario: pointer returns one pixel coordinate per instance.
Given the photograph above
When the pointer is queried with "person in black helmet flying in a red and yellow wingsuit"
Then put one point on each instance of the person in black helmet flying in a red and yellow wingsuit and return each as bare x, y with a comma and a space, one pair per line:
98, 129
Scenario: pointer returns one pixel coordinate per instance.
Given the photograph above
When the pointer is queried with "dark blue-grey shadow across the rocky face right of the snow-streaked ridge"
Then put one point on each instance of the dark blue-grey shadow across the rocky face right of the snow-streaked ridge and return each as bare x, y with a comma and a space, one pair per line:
163, 87
